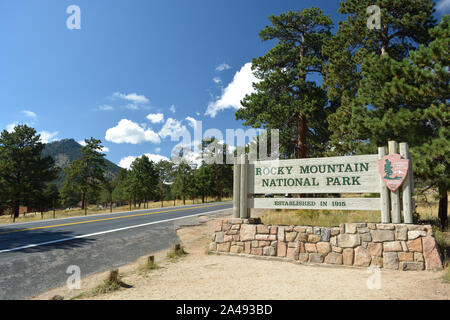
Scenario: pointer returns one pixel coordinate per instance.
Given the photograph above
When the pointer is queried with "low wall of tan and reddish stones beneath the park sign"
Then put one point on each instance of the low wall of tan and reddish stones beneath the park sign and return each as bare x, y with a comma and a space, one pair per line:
390, 246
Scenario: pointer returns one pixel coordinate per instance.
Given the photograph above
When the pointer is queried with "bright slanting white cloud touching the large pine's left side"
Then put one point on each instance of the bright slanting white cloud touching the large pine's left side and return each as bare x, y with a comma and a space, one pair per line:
233, 94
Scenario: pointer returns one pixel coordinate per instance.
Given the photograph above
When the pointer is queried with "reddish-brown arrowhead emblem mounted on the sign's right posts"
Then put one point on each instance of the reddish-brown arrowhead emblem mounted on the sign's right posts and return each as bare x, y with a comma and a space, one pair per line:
393, 170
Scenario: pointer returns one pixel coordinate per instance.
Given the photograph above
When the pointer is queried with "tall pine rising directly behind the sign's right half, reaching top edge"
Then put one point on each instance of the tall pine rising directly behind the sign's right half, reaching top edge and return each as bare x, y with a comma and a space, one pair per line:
357, 63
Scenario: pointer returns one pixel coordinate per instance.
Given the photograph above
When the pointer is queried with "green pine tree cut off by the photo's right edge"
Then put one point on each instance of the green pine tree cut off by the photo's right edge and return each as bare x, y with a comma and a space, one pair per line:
420, 85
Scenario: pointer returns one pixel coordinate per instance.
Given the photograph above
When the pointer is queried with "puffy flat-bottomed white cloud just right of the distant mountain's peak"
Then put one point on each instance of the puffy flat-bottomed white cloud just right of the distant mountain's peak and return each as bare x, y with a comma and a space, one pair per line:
128, 131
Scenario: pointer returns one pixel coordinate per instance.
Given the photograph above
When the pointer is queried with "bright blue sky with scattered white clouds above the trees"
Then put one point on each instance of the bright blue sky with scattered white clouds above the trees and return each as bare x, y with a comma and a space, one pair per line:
137, 73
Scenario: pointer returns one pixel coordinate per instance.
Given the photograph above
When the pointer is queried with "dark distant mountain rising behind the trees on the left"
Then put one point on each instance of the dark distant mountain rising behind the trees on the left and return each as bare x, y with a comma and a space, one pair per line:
65, 151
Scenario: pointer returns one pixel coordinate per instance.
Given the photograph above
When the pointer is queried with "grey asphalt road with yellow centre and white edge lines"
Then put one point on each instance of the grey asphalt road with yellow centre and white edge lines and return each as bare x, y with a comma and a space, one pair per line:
34, 256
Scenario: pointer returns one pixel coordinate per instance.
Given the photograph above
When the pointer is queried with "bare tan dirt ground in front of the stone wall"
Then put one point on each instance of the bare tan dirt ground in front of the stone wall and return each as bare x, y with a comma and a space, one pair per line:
200, 275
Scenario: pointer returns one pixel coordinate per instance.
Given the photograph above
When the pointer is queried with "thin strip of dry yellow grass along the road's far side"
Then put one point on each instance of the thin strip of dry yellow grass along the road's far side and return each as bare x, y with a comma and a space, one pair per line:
77, 212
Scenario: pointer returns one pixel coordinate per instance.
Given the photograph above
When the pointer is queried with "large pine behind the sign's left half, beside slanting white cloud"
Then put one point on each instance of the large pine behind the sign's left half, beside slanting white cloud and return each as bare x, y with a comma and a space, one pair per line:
286, 98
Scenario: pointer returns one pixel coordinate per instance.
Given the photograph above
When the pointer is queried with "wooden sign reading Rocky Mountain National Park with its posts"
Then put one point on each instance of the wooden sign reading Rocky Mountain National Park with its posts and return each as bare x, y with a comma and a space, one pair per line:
382, 173
